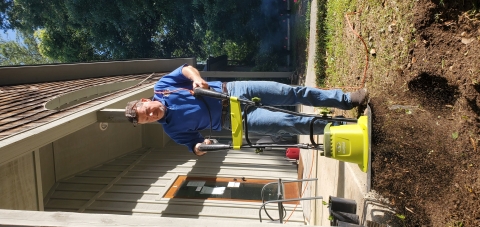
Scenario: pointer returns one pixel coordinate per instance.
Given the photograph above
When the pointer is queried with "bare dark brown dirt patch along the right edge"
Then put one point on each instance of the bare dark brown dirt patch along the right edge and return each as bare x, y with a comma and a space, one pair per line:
426, 126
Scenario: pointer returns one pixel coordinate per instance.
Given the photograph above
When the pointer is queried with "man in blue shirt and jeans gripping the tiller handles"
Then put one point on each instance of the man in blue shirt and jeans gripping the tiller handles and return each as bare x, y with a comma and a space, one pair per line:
184, 115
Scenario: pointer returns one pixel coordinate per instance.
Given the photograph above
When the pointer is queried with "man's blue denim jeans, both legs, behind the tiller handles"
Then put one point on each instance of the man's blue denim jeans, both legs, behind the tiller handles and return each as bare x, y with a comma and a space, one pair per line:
268, 122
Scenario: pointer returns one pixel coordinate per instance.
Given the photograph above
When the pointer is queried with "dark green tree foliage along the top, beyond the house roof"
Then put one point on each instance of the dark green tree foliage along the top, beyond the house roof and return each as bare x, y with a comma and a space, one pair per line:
89, 30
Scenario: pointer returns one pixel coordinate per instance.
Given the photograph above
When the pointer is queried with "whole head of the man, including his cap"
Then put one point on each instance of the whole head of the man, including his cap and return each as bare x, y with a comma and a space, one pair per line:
144, 111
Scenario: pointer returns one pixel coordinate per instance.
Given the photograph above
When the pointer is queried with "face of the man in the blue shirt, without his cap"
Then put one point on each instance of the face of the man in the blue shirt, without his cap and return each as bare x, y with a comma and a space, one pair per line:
150, 111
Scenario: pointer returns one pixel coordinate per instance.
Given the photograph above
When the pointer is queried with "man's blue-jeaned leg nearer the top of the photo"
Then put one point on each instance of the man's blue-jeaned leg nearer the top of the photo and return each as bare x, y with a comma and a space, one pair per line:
277, 94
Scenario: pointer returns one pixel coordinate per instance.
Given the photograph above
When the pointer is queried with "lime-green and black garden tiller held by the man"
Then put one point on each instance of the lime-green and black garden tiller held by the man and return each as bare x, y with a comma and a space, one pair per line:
344, 142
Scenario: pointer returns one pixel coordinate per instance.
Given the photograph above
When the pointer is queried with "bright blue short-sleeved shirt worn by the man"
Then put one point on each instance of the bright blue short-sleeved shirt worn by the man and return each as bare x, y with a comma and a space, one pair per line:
186, 115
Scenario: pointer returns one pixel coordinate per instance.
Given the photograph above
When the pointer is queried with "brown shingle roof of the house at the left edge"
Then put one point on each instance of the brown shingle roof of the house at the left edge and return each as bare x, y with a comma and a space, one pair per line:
22, 106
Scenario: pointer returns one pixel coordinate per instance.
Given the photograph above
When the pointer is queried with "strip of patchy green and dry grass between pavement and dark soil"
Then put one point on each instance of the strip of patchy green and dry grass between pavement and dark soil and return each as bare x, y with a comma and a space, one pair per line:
340, 55
